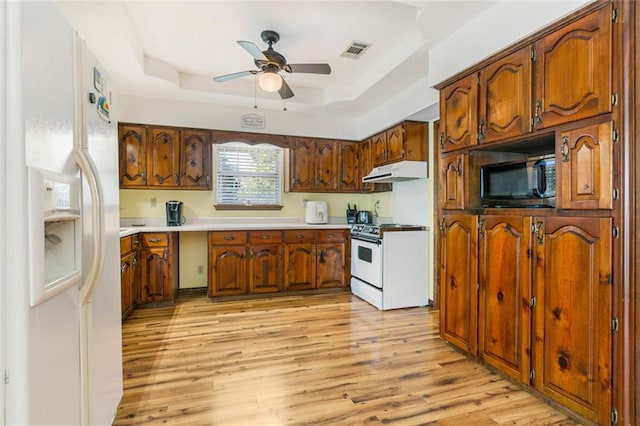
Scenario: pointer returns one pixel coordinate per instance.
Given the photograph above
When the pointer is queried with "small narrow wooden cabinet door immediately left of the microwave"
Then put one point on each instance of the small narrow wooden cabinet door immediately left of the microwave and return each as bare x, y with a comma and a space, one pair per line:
453, 181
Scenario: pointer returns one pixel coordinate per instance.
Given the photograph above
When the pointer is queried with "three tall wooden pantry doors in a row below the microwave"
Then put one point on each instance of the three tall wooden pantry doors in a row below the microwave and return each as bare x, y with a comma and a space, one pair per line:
532, 296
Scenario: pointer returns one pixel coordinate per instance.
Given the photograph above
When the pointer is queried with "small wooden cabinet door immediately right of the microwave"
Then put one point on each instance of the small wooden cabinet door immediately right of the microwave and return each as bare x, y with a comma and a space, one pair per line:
585, 168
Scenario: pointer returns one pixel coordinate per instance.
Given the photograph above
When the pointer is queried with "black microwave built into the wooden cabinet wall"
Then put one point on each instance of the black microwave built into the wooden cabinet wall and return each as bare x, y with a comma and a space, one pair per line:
530, 183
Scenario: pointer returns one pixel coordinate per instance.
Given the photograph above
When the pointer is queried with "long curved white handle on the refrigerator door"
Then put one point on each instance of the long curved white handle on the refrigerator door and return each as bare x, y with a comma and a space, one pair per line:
89, 170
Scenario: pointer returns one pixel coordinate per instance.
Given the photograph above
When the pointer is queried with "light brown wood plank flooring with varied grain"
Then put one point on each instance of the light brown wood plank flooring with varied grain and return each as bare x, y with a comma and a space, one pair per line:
299, 360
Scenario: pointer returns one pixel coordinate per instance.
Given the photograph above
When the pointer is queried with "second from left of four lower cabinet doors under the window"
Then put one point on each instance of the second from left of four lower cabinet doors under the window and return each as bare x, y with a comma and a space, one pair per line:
265, 268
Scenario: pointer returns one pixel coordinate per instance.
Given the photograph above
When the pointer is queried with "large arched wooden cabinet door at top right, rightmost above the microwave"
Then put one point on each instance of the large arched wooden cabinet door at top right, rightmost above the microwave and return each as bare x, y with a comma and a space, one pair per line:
574, 71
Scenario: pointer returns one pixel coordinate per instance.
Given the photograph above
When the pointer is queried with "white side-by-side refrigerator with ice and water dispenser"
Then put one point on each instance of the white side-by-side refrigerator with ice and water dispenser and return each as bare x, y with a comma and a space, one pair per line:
61, 327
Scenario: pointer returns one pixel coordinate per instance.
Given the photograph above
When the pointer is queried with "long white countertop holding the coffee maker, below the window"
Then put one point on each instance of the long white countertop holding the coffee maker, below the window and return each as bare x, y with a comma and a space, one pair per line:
130, 226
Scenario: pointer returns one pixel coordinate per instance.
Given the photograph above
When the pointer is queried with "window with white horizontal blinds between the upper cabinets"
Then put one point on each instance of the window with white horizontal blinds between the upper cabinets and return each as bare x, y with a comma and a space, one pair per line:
248, 176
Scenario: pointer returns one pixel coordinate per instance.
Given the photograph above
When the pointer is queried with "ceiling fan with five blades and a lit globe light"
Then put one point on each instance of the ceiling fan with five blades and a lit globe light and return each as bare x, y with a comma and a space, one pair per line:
270, 63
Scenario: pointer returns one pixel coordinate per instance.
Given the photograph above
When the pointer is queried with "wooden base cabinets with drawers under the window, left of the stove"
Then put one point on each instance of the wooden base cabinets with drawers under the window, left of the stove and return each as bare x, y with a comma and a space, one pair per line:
256, 262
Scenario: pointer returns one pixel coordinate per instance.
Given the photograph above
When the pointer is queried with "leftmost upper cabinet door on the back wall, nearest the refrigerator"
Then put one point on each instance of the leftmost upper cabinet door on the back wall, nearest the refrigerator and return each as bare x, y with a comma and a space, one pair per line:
132, 156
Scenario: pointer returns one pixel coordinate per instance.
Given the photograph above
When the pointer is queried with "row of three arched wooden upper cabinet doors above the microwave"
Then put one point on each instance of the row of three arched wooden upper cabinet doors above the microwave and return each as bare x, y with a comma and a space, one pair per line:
562, 77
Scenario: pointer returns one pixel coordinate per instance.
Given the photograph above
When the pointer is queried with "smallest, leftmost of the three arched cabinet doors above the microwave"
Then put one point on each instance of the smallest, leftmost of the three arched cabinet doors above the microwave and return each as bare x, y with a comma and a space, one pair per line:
458, 114
